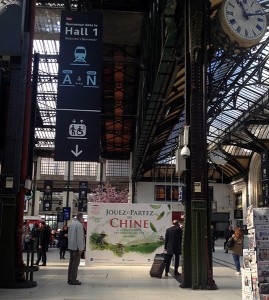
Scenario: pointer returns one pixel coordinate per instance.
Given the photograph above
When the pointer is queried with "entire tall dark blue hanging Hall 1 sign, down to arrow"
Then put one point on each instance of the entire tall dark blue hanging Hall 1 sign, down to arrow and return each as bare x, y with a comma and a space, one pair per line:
78, 124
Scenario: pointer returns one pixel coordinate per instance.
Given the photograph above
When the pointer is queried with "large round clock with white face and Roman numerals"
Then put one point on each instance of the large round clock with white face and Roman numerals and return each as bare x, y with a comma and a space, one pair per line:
244, 21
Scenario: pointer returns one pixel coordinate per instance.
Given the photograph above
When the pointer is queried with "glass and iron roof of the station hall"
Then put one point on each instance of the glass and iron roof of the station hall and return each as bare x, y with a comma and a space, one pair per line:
238, 102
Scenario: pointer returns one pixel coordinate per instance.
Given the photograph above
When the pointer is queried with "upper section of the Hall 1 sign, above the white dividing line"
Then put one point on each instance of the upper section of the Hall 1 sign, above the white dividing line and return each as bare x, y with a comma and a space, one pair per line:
80, 60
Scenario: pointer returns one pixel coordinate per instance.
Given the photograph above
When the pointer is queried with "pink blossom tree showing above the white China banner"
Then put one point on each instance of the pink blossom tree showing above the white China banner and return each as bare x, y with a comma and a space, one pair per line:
105, 193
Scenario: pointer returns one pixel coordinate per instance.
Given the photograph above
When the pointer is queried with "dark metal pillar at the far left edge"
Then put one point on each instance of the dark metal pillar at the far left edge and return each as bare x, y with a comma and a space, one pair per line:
14, 165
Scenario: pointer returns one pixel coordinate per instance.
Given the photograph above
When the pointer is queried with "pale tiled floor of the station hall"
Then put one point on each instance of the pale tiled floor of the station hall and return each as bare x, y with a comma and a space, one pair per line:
101, 282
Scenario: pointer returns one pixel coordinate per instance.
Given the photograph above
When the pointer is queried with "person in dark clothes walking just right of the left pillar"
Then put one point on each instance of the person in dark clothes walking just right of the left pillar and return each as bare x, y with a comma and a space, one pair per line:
43, 243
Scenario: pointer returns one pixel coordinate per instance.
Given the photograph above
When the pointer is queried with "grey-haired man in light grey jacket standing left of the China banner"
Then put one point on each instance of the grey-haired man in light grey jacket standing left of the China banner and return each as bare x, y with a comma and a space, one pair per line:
76, 245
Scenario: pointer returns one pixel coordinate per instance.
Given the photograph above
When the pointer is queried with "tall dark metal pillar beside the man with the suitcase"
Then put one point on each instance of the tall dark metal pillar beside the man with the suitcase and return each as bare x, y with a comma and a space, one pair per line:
196, 237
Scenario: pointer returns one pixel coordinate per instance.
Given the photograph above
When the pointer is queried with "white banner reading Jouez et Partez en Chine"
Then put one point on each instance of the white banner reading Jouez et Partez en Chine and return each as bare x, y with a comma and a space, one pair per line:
126, 233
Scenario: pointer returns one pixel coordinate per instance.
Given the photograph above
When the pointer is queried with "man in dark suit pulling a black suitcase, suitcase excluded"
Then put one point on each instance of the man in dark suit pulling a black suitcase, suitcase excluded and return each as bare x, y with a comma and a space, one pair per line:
172, 245
